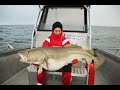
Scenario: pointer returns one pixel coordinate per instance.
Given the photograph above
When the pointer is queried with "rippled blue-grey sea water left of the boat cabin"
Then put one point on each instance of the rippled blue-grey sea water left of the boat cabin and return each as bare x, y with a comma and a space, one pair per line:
17, 35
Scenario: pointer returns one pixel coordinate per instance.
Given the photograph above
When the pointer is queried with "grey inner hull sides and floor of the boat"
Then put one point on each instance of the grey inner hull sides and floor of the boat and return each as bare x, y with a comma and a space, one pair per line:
13, 72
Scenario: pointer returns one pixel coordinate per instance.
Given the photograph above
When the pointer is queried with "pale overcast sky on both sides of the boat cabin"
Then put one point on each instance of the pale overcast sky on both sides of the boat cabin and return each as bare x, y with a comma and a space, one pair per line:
101, 15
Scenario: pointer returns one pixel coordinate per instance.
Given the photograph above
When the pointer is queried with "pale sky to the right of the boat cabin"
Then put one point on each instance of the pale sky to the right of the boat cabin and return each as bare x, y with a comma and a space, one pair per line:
105, 15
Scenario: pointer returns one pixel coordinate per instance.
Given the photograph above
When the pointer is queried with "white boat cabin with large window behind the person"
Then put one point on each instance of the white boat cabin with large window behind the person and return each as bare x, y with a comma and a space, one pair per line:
75, 21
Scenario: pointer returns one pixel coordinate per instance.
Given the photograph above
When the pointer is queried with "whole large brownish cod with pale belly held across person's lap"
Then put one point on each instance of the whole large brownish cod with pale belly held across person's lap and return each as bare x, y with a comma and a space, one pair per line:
54, 58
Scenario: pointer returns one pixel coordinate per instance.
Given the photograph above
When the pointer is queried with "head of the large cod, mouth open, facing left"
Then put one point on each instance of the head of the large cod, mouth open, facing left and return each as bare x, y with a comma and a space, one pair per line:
32, 56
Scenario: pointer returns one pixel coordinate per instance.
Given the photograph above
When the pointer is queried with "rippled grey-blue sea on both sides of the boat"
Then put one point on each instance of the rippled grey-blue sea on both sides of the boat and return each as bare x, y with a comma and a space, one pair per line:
19, 36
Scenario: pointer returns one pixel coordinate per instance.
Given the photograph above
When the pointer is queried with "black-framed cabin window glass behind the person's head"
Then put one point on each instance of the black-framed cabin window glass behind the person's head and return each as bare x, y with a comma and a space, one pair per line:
71, 18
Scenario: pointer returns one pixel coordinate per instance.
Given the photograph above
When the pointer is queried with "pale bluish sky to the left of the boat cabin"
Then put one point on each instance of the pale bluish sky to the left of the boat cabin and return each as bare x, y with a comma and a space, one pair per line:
18, 14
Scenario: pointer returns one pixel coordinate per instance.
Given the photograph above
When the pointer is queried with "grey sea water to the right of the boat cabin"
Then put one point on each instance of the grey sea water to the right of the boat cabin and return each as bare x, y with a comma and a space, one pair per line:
106, 38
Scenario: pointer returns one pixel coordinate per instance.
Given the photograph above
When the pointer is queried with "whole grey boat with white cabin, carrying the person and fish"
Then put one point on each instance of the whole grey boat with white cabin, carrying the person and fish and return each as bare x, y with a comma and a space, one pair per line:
77, 28
